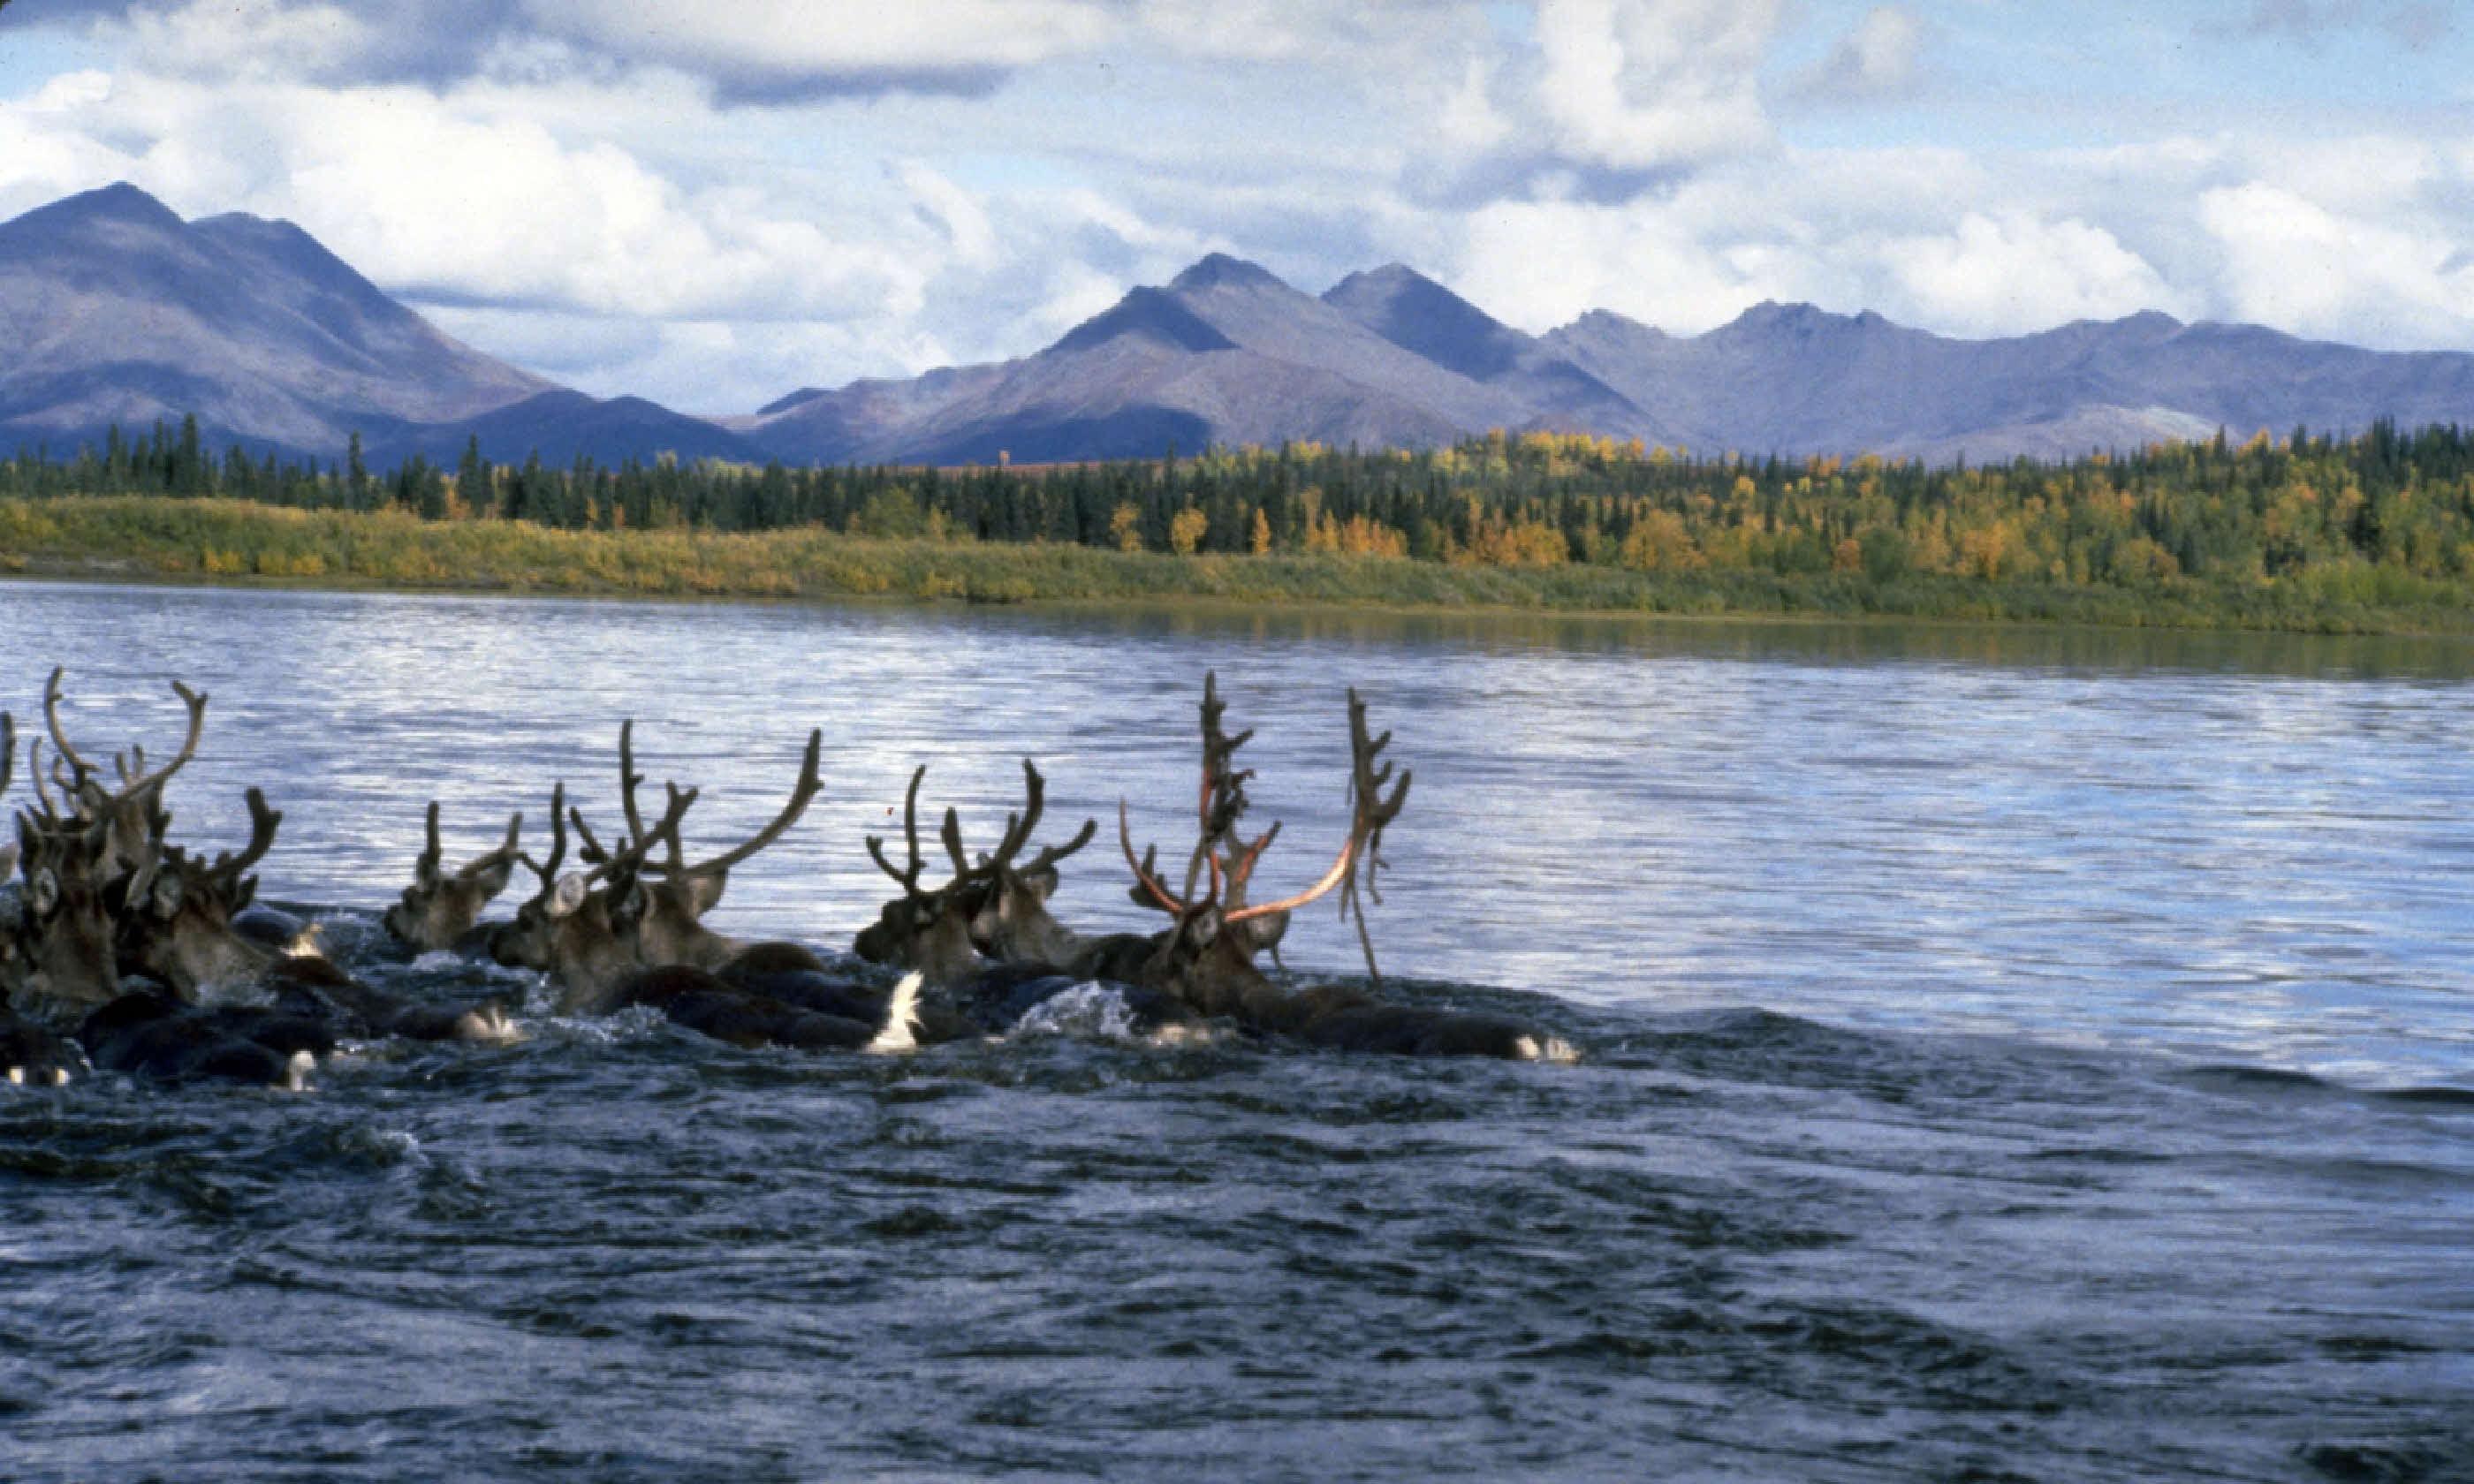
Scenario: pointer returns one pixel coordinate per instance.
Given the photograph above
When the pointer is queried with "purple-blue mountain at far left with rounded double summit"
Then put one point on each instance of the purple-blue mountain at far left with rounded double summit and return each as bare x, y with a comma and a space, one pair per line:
118, 313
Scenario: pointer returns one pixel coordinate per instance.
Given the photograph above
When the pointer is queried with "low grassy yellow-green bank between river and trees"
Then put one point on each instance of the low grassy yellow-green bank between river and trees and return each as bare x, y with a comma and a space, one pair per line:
135, 538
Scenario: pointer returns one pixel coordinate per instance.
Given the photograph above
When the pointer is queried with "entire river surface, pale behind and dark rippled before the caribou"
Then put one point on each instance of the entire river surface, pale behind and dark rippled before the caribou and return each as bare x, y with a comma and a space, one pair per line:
2010, 1055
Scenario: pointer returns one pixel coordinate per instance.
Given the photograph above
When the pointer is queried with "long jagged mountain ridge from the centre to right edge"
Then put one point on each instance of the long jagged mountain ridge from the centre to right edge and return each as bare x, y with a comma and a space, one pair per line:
1226, 352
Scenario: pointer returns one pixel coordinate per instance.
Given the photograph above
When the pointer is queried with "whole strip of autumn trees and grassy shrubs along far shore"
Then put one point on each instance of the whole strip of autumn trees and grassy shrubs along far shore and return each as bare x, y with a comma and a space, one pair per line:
2361, 535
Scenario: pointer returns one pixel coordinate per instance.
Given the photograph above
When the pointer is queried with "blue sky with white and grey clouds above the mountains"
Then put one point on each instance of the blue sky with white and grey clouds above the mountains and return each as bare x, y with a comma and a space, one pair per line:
719, 202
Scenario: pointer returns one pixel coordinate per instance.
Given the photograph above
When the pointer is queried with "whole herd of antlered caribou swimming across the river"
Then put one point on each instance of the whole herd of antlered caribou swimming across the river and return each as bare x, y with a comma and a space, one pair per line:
122, 951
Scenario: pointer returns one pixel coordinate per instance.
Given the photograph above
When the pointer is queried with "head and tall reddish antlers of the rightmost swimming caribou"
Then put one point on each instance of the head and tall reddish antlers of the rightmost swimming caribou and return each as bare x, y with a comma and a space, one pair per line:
1209, 958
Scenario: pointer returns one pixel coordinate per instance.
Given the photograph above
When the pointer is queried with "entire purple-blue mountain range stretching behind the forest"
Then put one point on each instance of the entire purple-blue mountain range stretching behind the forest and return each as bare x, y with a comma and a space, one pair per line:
118, 313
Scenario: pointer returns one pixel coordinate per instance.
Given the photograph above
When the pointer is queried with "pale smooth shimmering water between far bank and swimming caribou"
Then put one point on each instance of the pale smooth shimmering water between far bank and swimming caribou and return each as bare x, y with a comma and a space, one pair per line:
2245, 847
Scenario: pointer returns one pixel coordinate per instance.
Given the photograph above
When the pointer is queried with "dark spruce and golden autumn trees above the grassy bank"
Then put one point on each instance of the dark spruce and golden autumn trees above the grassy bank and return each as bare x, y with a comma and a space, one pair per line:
2260, 511
